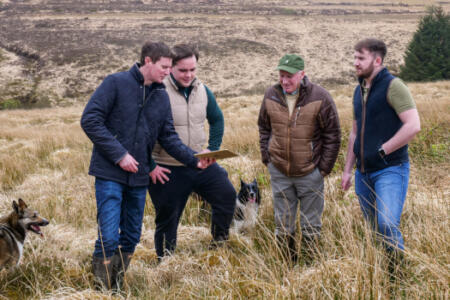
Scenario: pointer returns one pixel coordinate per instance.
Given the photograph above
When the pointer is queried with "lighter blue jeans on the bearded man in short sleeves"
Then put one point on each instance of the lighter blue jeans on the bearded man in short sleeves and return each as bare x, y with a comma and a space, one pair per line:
381, 197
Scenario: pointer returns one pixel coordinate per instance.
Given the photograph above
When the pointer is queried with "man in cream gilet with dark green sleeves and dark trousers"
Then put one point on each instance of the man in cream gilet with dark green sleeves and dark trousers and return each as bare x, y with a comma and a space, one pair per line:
192, 104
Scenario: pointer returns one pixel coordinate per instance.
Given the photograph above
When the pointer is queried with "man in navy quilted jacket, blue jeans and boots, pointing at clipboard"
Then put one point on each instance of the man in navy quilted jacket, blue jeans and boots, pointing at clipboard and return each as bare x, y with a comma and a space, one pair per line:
124, 118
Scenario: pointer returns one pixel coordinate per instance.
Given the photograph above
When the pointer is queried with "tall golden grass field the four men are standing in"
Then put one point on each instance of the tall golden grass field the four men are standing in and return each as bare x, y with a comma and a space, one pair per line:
44, 159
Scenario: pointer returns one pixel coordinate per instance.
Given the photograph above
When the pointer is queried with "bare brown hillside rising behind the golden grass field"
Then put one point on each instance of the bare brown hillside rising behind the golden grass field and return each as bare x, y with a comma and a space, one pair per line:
57, 52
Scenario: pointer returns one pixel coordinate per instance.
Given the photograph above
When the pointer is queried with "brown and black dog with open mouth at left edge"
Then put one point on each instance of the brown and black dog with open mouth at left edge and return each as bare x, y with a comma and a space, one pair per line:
13, 229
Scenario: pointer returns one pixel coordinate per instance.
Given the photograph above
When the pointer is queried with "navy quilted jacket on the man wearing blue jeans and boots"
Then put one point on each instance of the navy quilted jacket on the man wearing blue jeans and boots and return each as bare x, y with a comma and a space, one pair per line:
124, 116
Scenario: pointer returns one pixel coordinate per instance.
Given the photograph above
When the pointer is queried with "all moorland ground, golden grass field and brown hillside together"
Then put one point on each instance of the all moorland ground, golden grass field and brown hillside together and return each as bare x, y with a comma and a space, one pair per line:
57, 58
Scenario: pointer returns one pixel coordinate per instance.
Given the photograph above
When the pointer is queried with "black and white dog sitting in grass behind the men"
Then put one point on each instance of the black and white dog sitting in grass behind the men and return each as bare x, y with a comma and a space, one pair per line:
247, 205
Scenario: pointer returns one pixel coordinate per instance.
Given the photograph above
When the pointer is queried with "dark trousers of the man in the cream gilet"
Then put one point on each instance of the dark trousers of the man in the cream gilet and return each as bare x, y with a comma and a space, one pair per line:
169, 200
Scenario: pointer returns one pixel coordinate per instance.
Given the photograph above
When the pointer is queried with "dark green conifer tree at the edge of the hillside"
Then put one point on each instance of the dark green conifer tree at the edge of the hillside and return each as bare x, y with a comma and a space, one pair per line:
428, 54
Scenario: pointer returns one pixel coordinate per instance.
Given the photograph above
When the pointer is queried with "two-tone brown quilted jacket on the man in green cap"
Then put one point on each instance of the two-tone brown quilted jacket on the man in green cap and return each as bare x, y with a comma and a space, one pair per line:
310, 137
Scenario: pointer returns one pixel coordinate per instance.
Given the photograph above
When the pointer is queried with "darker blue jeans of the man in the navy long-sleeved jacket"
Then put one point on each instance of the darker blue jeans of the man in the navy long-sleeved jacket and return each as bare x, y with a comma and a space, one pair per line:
120, 209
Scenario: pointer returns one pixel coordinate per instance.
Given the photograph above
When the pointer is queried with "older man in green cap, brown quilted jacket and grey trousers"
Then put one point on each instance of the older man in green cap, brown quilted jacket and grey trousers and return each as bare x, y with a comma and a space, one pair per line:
300, 138
